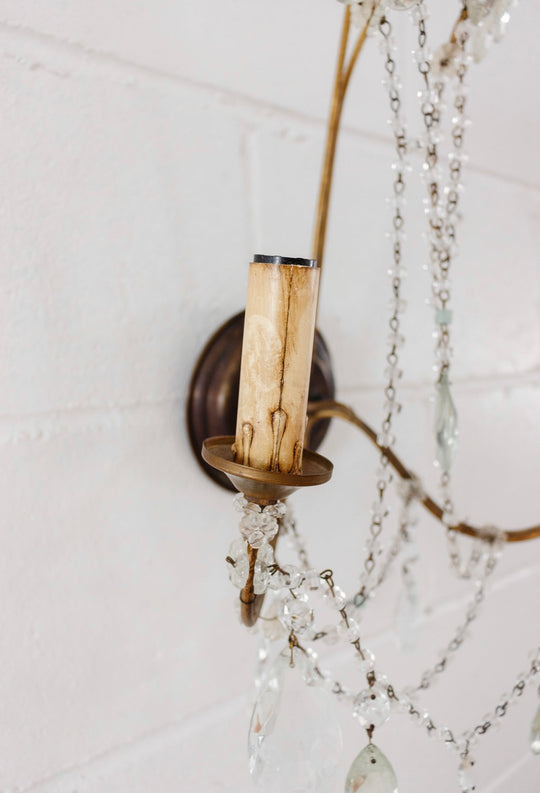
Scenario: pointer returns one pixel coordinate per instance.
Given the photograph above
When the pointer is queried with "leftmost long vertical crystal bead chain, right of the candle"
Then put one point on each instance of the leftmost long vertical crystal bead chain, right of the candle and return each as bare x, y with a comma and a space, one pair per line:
391, 407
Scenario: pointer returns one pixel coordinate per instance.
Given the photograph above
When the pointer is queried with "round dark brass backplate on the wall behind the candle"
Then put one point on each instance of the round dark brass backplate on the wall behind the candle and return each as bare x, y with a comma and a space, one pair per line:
213, 393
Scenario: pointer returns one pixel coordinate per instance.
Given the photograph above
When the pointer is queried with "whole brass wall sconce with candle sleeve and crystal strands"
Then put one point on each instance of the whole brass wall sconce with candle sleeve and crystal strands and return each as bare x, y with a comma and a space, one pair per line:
266, 447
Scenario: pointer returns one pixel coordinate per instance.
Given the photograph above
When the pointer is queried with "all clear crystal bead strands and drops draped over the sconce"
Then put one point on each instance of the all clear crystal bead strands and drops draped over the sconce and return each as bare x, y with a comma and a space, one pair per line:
290, 617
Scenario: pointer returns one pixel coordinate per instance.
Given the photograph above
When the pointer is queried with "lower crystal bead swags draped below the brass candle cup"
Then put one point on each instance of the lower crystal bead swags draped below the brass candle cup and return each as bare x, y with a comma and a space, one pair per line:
293, 621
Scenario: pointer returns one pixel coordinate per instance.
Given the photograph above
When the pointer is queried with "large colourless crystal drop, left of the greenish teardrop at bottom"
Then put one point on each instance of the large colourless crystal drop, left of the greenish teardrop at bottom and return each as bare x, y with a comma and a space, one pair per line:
294, 738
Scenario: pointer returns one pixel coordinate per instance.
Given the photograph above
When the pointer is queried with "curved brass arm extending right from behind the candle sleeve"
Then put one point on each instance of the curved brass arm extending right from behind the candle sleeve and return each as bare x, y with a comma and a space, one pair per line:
331, 409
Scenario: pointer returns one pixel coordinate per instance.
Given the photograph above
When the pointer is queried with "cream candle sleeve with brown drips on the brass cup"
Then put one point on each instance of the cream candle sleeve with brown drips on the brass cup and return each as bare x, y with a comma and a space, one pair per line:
277, 349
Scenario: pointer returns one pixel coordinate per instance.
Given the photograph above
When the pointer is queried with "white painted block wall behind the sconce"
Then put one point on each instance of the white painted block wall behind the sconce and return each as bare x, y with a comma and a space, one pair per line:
147, 150
